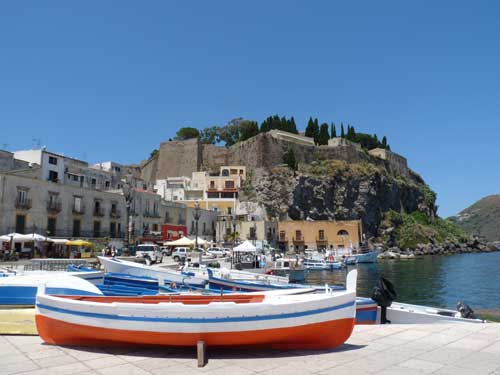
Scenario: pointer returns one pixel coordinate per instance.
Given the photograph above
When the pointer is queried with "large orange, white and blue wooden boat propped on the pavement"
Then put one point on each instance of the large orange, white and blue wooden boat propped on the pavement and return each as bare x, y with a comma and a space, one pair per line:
304, 321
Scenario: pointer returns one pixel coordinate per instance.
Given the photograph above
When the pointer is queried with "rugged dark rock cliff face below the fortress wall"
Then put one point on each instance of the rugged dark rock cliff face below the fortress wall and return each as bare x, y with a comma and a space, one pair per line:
343, 192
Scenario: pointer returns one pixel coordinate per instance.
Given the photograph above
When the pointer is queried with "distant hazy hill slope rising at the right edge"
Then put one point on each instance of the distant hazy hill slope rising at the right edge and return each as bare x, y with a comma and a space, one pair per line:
482, 218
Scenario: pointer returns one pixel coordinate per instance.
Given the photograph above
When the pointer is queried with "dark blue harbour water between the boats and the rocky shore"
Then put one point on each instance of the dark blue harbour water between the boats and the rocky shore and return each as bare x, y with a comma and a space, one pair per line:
439, 280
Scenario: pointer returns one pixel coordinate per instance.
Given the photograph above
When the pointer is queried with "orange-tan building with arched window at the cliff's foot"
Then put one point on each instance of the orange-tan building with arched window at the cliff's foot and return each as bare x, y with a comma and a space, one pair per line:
301, 235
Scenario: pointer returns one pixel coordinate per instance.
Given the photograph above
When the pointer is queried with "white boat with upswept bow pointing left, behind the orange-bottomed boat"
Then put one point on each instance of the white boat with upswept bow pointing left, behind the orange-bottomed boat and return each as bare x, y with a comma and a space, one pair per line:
136, 269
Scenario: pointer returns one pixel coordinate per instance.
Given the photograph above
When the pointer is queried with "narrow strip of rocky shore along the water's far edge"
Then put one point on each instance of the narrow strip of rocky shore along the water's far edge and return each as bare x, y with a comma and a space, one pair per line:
447, 248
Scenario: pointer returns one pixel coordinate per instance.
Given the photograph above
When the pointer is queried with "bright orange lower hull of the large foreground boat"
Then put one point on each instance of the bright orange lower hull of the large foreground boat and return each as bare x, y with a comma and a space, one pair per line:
316, 336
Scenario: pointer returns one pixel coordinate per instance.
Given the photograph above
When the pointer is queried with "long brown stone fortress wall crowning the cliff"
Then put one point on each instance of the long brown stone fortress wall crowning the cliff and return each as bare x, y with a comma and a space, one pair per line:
265, 150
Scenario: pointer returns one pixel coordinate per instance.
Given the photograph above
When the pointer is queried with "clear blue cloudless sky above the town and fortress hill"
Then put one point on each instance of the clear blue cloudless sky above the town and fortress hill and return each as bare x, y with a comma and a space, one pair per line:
109, 80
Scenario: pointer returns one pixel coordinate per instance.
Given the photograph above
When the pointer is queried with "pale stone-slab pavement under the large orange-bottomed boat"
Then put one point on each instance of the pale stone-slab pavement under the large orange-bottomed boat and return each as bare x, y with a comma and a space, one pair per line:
390, 349
